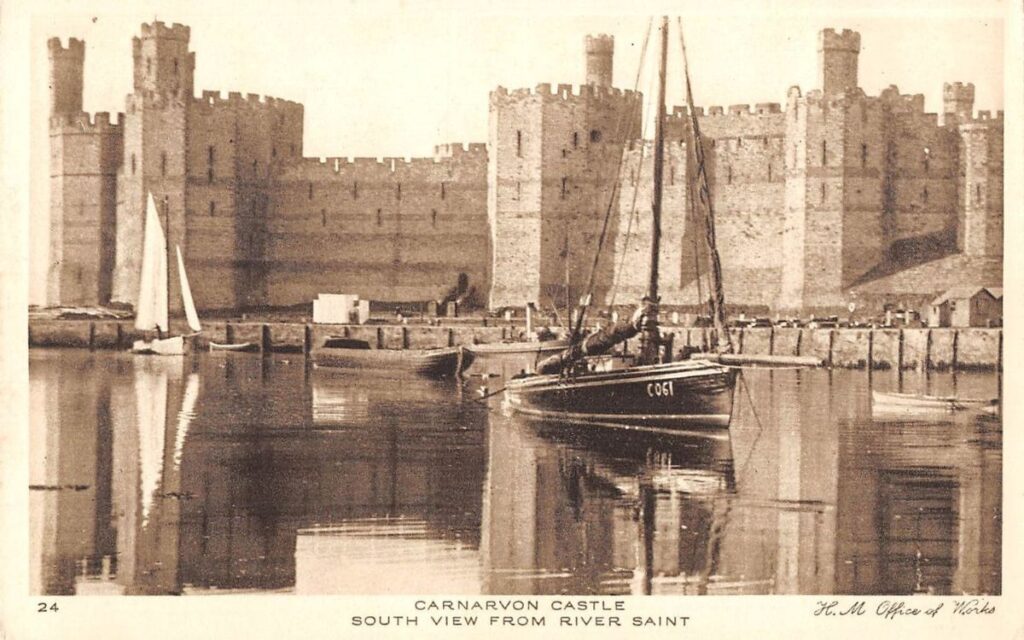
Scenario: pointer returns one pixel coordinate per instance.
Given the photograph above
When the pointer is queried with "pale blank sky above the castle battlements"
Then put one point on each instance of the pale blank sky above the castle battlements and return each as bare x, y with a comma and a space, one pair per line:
395, 79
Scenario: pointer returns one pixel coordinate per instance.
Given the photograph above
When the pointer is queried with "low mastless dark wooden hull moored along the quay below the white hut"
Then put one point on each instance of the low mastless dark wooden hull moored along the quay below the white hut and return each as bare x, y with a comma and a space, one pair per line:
431, 363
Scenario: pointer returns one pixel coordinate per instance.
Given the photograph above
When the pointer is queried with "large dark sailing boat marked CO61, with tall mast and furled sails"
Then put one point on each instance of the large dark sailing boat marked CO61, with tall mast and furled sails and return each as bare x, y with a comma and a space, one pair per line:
653, 392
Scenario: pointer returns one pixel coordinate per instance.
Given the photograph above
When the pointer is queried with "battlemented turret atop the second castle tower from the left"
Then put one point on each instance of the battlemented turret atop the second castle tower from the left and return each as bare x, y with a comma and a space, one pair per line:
163, 63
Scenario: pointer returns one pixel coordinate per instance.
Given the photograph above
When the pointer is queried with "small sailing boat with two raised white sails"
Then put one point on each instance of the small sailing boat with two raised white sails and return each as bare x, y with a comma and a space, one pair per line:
151, 314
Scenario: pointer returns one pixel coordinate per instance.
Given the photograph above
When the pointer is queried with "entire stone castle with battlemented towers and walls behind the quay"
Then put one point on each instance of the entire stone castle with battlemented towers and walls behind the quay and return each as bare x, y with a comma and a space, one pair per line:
836, 197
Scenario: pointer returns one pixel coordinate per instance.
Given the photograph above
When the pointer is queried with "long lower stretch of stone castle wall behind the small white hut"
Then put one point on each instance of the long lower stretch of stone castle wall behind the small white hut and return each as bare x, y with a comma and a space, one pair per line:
387, 230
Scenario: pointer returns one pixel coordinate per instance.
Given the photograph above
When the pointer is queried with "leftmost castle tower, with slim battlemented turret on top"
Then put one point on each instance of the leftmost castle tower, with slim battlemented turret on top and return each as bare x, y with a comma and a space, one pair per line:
86, 154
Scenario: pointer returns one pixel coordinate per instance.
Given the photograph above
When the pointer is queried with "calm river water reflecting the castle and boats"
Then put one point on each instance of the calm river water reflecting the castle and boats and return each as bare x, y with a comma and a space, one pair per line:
238, 474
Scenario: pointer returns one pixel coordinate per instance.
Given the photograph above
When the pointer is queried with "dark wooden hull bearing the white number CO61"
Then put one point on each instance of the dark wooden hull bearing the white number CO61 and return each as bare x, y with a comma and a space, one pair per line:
690, 396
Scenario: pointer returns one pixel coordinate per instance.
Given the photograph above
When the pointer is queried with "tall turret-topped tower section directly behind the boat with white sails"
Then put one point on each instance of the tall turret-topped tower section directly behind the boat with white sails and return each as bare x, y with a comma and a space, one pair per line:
155, 150
